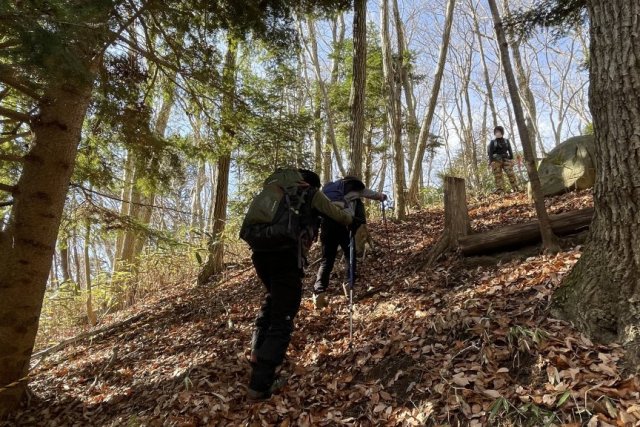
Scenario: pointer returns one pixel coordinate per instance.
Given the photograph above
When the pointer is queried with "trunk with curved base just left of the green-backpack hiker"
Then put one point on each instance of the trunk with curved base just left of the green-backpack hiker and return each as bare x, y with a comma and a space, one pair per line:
215, 260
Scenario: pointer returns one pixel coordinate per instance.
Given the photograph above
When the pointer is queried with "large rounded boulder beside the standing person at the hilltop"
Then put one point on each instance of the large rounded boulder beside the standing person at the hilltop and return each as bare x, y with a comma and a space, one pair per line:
570, 166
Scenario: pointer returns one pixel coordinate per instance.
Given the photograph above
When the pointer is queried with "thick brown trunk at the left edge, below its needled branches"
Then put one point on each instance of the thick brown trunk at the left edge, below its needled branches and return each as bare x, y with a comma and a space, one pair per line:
28, 243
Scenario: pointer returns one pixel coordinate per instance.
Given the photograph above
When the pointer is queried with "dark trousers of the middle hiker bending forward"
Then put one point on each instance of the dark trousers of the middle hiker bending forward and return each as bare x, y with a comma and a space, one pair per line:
332, 236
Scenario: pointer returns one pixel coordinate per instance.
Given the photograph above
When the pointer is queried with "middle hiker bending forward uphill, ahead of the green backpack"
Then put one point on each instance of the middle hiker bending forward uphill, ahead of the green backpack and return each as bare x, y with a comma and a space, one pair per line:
346, 194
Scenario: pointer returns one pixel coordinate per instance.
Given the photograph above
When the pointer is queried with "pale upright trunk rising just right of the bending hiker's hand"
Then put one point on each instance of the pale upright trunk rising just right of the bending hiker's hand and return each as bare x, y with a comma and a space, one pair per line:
393, 89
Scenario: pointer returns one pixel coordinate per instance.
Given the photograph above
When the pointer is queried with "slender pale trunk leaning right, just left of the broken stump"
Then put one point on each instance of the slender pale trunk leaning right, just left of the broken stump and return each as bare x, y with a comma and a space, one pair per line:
425, 129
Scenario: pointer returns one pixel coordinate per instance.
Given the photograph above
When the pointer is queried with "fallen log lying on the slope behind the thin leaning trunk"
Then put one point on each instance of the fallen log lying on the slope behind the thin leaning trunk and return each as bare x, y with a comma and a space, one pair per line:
518, 235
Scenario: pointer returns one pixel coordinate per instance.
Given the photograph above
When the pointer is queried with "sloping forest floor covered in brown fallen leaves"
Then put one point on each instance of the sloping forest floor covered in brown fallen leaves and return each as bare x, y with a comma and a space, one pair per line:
461, 344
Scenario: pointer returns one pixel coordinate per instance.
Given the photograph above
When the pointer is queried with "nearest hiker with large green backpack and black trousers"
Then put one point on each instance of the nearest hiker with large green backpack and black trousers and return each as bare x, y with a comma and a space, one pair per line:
280, 226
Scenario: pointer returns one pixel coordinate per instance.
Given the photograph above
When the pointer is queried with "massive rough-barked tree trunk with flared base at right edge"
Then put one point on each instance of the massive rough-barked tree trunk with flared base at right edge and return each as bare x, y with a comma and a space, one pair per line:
602, 293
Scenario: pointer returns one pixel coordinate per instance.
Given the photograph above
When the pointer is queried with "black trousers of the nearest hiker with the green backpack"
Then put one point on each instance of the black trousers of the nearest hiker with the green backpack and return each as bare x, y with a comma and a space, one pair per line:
282, 279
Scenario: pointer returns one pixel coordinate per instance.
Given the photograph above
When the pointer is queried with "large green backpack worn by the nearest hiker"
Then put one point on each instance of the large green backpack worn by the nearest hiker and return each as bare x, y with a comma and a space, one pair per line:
279, 217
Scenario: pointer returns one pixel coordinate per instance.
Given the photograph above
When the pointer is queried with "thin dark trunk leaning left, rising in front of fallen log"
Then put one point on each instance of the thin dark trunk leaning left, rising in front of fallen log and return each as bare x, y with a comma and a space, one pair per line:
549, 240
